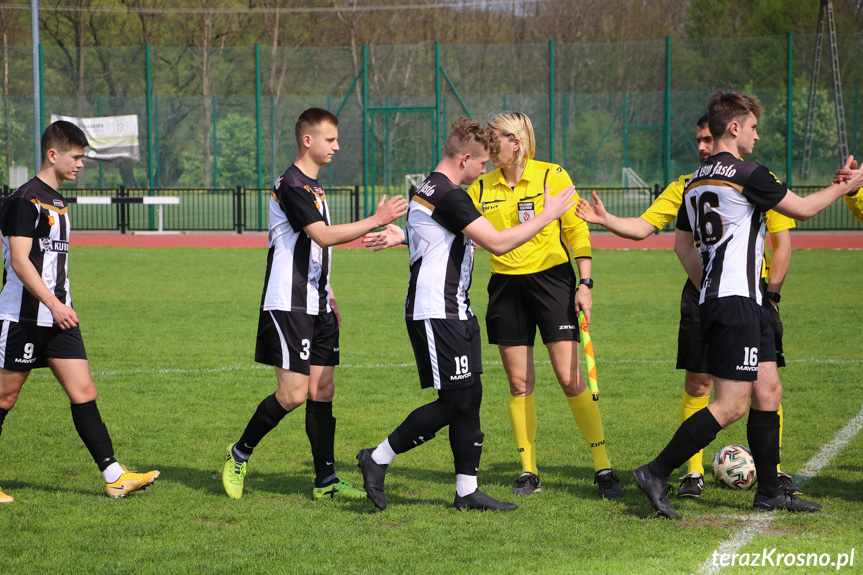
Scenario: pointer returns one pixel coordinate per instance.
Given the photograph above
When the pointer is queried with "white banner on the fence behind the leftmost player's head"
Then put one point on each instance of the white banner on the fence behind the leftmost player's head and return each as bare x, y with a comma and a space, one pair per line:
112, 138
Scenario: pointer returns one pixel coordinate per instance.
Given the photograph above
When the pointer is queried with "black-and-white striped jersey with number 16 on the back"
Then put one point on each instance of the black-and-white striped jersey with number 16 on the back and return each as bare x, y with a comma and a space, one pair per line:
724, 206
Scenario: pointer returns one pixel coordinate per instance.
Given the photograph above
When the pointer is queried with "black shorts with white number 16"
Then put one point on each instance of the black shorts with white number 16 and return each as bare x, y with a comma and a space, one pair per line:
737, 337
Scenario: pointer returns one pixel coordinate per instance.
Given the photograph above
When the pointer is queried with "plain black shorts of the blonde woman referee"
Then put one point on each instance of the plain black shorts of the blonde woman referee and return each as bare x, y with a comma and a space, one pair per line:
518, 304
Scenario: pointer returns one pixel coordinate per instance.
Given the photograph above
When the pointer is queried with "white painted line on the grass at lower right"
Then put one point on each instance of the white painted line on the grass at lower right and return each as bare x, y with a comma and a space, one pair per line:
813, 467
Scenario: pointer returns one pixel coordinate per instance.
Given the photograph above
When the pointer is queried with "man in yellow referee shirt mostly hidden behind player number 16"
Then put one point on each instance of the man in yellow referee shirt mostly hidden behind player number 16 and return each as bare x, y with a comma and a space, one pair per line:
698, 384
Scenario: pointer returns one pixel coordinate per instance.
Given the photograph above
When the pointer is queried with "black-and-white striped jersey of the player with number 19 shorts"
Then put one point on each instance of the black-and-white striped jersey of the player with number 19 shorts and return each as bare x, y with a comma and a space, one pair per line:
441, 255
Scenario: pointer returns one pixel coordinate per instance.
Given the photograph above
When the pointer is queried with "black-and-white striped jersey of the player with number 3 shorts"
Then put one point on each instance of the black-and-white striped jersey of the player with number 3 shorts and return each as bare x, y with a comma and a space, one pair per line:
298, 269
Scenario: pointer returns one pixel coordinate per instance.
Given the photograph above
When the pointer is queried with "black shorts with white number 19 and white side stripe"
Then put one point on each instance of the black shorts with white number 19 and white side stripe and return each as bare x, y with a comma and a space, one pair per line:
448, 352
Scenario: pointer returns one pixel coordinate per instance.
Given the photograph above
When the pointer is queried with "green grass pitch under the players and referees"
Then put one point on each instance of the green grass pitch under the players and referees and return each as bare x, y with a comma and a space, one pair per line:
170, 334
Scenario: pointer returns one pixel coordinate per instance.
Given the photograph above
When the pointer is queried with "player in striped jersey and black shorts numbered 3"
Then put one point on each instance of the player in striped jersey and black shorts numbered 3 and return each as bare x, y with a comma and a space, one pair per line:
298, 326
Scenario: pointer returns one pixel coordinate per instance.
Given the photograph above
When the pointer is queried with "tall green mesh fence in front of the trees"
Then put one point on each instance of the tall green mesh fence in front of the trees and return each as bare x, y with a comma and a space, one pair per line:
219, 117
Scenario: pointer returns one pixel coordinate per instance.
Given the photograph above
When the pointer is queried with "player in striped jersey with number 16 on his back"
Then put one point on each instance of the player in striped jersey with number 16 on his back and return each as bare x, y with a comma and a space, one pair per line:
723, 211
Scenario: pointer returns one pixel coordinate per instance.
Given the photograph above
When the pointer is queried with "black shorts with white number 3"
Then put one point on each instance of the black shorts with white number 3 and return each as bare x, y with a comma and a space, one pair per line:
295, 340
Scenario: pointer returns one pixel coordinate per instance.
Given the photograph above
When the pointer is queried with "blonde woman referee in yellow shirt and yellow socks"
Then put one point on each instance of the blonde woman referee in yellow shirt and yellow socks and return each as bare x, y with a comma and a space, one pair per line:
534, 286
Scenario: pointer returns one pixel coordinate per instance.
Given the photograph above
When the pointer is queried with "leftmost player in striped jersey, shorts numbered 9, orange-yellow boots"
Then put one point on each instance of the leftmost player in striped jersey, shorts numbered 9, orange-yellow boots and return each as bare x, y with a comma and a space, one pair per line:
38, 327
